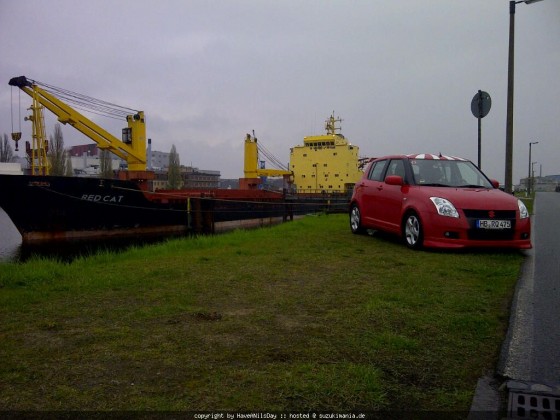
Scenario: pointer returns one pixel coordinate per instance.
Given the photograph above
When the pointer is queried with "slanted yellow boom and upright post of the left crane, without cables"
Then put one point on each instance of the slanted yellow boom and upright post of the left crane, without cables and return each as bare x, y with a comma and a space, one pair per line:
133, 146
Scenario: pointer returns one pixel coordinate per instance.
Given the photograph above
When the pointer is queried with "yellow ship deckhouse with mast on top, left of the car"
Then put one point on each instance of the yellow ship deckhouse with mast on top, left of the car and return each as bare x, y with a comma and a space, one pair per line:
325, 163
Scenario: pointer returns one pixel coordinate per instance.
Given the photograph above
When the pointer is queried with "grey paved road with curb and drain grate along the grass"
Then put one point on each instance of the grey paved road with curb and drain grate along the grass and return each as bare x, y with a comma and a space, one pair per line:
528, 373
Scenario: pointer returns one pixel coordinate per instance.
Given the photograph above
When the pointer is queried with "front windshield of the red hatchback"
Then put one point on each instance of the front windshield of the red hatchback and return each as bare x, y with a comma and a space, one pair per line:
448, 173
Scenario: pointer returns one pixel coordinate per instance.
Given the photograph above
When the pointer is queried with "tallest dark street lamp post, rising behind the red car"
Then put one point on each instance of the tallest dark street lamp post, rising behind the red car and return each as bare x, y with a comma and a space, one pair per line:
509, 123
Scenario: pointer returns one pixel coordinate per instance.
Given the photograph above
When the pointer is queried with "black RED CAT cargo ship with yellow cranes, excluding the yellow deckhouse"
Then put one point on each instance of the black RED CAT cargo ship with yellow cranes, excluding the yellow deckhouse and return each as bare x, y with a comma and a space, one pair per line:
44, 207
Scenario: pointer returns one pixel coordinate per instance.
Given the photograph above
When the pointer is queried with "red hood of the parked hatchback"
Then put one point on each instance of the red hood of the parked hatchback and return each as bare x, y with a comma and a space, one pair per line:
473, 198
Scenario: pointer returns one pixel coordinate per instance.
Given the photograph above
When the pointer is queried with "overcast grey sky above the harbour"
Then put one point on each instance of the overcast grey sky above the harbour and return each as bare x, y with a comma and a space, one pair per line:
400, 73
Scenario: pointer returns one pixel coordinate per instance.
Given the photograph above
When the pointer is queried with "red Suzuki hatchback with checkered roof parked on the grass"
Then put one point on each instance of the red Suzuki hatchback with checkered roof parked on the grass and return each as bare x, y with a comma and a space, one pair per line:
438, 201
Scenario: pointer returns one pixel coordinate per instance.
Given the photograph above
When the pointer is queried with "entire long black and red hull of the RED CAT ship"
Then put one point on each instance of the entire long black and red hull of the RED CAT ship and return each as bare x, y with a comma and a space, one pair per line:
52, 208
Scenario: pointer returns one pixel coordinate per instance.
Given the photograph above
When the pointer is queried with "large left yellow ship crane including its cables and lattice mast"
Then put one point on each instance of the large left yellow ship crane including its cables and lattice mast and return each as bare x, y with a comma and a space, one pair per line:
132, 147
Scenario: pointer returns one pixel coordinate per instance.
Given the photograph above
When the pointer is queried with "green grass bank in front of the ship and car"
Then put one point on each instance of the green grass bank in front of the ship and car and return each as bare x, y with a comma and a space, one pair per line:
301, 316
